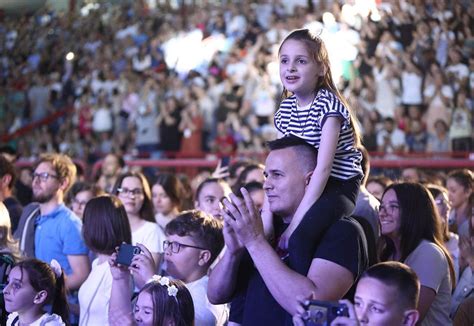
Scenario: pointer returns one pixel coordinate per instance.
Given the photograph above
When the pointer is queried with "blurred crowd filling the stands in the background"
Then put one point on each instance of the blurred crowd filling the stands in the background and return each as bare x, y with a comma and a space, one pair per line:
406, 68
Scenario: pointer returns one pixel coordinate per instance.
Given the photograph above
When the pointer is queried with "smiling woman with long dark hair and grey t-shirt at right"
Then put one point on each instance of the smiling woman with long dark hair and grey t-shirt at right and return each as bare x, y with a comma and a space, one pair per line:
411, 234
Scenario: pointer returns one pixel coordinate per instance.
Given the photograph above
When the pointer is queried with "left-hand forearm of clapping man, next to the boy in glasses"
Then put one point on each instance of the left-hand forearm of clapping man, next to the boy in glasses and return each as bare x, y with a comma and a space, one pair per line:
223, 278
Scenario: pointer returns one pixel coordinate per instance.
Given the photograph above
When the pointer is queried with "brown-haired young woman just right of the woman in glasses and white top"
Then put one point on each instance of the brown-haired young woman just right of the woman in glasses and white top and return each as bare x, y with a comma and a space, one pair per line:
166, 196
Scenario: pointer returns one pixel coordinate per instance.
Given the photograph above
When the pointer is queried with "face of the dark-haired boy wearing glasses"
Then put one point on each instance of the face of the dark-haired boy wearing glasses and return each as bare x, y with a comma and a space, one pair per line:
185, 265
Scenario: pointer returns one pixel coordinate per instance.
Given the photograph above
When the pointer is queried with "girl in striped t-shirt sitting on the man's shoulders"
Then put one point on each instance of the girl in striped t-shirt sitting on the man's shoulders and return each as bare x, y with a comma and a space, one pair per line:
317, 113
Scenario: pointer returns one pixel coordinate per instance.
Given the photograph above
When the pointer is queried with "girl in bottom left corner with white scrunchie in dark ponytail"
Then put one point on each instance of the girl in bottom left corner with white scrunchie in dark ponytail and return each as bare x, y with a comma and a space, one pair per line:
33, 284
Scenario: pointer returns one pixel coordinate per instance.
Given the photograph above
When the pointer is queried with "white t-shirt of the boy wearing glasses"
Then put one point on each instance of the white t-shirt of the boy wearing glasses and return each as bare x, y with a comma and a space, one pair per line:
205, 313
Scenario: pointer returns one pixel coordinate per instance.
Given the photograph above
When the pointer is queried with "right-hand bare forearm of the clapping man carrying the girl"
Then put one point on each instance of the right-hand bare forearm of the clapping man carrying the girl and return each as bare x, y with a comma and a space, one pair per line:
283, 283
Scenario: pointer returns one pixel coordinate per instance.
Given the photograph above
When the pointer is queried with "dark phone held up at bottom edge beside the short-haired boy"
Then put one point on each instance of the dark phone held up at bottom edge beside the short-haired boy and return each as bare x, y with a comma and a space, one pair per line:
322, 313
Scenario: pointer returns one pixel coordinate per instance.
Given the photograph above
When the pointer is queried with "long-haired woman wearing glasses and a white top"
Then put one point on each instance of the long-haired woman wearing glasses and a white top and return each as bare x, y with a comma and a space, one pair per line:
133, 189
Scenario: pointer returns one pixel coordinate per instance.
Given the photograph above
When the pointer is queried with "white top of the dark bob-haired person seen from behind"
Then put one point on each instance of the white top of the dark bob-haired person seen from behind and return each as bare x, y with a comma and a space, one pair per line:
94, 295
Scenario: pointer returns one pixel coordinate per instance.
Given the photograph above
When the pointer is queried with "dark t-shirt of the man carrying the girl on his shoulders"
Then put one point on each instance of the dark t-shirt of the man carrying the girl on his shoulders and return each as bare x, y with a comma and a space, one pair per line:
343, 244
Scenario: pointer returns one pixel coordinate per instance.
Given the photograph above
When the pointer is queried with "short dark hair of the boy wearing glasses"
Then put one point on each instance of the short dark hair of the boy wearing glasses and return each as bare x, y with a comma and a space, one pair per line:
205, 230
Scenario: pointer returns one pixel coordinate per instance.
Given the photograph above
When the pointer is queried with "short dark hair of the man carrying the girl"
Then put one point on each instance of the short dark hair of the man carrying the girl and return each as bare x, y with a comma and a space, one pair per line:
307, 154
